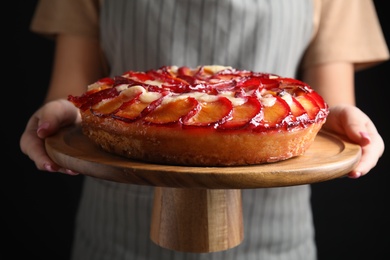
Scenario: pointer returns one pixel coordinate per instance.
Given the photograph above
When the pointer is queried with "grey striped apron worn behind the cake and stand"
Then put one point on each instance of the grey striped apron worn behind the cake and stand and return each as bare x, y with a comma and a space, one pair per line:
113, 220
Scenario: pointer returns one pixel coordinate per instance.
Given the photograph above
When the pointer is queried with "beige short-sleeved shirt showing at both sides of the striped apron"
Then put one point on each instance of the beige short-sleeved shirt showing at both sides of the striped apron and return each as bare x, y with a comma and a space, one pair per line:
344, 30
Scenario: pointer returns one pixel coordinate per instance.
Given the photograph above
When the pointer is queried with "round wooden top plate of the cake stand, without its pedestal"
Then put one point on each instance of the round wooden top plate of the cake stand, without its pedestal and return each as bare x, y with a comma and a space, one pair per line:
328, 157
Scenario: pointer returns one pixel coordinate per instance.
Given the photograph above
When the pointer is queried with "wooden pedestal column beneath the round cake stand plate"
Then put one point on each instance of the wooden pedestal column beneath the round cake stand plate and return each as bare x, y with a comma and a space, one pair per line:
197, 220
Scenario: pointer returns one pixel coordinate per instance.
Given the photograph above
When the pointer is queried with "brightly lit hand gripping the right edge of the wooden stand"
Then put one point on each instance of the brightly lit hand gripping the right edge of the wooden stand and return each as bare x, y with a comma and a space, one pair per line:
352, 123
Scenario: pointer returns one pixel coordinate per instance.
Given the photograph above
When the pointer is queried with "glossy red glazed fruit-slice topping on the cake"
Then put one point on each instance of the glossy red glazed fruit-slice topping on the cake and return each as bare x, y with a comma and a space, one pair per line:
109, 98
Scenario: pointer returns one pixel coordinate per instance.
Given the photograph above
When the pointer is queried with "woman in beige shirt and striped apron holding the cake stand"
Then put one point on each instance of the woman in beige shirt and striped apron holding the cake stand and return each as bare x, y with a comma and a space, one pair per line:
316, 40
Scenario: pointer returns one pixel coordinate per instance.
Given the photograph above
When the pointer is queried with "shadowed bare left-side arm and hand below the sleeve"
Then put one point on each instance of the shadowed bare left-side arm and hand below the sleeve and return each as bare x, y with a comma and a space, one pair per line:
77, 63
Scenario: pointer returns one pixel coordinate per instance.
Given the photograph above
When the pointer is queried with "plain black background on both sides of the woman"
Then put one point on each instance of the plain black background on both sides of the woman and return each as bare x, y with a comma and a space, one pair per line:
38, 208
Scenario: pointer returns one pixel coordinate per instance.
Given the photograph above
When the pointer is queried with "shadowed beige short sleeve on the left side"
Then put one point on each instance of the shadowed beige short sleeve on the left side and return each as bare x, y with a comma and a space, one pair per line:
78, 17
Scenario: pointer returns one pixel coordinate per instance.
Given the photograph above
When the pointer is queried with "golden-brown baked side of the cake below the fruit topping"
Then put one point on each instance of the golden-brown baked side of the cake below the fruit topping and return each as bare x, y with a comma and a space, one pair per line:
205, 145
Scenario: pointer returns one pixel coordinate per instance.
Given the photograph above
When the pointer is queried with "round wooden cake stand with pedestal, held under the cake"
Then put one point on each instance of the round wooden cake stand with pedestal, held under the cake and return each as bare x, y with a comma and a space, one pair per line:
198, 209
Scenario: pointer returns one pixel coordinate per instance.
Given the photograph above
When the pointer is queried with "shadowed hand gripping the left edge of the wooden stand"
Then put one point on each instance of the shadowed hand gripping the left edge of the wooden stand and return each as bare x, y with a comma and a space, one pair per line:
46, 121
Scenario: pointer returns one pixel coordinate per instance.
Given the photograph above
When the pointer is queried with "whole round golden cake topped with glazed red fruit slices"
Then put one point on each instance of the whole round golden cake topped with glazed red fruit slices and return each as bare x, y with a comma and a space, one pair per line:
204, 116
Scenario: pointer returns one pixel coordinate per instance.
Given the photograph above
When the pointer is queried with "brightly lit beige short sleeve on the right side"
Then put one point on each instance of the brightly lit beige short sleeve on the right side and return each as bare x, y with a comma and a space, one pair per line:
346, 31
